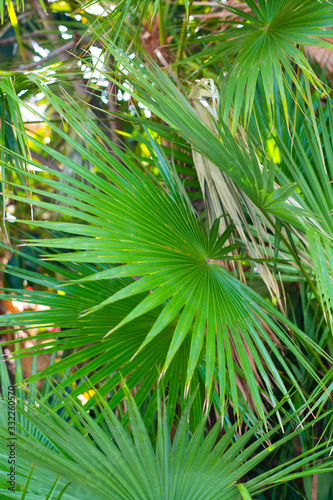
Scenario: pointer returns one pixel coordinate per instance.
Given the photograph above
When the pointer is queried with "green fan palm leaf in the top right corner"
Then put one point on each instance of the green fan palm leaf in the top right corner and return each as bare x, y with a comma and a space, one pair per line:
268, 45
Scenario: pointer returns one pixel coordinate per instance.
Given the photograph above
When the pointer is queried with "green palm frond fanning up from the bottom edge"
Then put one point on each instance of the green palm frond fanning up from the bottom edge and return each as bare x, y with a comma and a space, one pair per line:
113, 463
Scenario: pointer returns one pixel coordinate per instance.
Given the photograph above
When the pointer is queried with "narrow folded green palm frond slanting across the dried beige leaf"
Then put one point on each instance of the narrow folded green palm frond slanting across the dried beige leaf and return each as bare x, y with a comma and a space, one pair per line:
153, 88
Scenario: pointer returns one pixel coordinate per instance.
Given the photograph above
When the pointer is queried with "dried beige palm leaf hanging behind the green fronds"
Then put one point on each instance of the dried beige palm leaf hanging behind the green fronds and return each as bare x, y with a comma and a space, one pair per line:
223, 197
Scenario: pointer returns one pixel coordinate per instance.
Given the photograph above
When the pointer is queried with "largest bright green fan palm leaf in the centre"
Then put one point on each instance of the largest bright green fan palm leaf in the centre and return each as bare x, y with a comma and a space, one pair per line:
141, 229
